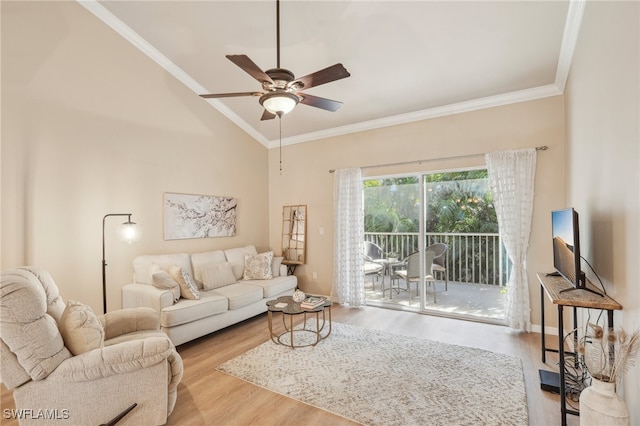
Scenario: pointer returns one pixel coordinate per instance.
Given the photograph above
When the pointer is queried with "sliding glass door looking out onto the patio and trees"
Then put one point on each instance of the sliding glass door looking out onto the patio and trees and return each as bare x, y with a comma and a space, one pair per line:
451, 216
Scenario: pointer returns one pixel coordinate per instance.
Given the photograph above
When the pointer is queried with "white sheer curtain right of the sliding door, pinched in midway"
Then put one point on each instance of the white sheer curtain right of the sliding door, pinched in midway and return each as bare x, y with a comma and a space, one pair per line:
511, 178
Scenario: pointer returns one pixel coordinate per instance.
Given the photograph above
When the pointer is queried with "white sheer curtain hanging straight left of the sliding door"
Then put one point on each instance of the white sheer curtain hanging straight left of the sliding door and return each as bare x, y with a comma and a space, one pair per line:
348, 260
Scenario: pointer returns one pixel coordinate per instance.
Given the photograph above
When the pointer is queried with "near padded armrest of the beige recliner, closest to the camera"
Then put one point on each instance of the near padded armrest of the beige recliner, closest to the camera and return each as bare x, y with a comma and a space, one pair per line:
121, 358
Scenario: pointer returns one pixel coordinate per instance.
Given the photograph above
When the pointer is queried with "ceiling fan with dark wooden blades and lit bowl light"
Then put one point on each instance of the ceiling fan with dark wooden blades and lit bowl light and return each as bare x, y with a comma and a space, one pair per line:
281, 91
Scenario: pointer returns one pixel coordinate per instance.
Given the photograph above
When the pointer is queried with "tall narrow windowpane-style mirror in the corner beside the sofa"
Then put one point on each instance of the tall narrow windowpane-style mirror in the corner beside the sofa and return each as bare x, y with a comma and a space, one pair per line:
294, 229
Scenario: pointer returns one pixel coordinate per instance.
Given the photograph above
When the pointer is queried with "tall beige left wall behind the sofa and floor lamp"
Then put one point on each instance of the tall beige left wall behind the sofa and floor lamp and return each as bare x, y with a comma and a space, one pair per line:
91, 126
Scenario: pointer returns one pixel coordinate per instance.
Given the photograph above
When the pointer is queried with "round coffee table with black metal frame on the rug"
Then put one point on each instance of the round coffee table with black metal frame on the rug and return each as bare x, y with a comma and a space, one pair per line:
289, 308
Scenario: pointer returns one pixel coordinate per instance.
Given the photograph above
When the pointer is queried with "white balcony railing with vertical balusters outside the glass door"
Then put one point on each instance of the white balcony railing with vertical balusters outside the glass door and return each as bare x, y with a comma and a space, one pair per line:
471, 258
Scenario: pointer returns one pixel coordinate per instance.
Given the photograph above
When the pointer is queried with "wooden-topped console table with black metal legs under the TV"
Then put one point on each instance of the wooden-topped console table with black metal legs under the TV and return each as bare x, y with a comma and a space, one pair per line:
553, 287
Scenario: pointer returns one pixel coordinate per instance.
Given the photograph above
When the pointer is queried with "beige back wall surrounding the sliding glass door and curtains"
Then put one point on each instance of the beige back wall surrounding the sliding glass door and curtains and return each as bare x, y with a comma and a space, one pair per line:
306, 179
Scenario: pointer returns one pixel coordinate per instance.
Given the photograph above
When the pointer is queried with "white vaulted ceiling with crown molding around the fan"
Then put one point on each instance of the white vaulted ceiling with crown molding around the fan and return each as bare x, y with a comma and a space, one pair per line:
409, 60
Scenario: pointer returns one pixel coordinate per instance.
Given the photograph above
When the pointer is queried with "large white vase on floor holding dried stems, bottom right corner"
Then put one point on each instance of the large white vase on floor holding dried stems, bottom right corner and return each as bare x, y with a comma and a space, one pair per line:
600, 405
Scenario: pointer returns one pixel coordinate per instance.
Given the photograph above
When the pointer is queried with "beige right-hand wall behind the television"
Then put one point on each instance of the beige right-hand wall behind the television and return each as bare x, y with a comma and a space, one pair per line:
603, 152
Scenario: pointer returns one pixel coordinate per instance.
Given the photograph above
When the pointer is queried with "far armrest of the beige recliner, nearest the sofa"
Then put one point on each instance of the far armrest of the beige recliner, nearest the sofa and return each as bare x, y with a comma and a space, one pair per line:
130, 320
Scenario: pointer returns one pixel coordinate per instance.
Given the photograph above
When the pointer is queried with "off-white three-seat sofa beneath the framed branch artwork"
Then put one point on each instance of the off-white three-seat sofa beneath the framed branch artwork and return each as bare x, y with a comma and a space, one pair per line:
187, 319
